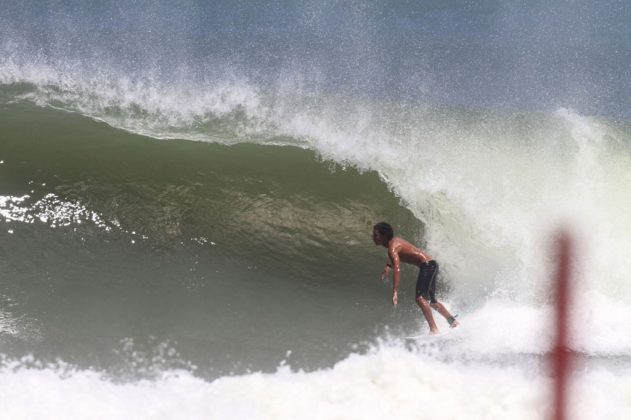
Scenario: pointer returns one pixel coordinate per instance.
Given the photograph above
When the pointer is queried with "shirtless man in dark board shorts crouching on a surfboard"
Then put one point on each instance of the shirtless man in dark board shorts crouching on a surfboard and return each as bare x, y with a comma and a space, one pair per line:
400, 250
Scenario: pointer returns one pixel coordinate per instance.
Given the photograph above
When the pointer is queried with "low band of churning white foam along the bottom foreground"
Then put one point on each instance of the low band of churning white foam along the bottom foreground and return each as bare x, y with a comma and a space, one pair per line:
389, 382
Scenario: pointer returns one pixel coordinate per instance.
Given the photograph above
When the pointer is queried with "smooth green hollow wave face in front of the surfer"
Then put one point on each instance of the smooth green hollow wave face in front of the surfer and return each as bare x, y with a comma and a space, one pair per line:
230, 256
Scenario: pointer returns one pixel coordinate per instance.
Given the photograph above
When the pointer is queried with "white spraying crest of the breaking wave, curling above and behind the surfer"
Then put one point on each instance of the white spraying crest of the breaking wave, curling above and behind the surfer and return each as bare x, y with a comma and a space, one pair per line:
547, 165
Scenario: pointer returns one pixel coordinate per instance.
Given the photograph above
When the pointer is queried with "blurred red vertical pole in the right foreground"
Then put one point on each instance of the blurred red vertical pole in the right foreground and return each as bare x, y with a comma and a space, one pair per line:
562, 353
